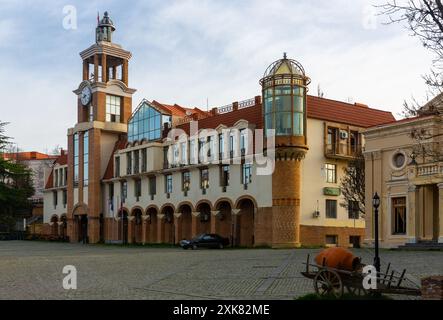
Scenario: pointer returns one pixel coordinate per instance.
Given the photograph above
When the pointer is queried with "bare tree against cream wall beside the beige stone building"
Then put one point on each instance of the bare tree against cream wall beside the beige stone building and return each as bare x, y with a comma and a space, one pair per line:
352, 186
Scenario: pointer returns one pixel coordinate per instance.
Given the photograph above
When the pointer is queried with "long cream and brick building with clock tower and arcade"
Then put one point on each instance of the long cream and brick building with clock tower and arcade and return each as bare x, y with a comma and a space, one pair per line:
261, 171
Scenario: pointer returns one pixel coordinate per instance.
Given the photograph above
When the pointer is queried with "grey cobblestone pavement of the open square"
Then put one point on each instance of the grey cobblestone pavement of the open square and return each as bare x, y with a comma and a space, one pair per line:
33, 270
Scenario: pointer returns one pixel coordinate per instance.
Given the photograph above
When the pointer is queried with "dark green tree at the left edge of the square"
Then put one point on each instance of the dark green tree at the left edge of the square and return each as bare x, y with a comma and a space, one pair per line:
15, 184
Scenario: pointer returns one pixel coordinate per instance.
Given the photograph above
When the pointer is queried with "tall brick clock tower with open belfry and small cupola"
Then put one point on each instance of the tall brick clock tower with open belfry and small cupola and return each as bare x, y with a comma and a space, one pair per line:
104, 105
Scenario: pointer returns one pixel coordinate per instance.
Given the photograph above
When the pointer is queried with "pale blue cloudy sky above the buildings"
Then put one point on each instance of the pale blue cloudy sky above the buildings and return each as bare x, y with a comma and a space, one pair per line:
186, 52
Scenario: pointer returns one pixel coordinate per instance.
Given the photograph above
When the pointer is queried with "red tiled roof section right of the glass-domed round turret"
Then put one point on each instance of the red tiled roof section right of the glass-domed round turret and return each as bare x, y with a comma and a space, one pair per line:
341, 112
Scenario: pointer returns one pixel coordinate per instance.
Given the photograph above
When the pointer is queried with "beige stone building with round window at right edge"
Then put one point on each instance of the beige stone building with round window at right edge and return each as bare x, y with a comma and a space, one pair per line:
404, 166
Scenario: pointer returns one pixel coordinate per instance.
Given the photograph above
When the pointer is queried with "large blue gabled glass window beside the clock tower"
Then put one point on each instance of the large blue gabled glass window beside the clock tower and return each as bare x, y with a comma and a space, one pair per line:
146, 123
